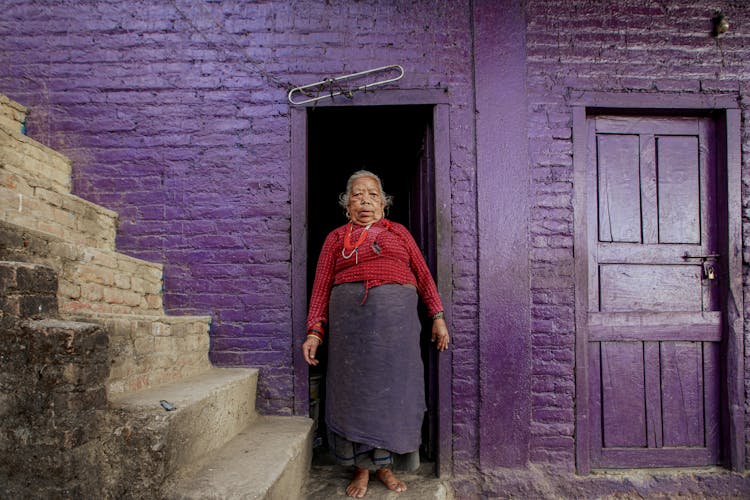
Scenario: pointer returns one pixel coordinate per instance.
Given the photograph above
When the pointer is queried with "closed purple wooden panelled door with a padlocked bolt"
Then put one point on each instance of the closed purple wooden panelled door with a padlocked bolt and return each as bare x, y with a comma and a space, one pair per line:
654, 307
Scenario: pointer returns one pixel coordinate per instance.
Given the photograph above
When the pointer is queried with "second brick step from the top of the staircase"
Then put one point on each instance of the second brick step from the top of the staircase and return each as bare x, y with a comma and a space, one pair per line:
39, 165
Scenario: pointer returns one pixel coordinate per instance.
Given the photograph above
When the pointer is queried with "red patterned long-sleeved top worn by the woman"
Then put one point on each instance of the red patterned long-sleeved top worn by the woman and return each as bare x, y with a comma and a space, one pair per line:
389, 254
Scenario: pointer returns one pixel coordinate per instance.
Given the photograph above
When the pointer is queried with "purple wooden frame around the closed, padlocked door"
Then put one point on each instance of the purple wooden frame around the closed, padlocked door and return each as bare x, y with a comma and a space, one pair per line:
724, 108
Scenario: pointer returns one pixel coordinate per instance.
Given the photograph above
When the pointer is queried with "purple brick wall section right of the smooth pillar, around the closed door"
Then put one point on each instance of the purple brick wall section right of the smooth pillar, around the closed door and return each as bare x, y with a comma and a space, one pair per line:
618, 46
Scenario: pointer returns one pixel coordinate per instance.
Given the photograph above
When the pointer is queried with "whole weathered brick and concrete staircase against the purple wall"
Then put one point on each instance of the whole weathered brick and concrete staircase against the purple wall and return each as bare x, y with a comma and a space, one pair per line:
115, 440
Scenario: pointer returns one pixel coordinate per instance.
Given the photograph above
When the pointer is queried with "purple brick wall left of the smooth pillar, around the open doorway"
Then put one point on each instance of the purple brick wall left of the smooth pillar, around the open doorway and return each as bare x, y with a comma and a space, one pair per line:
175, 116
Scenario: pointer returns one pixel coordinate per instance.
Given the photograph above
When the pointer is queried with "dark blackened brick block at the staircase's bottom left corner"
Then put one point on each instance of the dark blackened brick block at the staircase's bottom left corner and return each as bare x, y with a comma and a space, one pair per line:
52, 391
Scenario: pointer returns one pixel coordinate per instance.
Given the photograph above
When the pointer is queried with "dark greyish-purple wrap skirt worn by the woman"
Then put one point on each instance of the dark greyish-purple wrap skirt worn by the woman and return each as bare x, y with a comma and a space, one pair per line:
375, 381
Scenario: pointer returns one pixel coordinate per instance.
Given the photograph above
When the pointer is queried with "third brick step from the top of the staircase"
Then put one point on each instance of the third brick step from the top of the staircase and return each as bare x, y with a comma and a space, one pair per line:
64, 215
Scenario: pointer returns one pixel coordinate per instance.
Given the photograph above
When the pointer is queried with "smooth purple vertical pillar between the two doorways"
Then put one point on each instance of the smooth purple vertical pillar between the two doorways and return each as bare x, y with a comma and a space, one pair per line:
505, 354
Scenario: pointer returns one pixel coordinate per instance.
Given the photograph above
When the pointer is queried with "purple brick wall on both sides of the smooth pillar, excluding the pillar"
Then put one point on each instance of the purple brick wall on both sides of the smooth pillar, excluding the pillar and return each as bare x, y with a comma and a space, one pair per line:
175, 116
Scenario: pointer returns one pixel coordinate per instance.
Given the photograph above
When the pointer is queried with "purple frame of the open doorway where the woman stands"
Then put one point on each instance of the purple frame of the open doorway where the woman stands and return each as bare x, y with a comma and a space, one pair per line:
438, 99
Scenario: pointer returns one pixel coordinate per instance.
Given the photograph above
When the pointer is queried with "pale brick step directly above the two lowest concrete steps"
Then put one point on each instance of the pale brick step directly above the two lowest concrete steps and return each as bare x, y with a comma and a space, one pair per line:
148, 351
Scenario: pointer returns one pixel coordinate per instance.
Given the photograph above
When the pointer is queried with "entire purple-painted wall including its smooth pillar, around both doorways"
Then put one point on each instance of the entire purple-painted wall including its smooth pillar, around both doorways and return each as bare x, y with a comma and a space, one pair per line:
190, 143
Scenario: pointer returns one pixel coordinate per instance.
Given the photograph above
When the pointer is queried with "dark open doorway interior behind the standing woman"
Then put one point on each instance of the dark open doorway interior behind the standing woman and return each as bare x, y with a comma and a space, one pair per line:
396, 143
